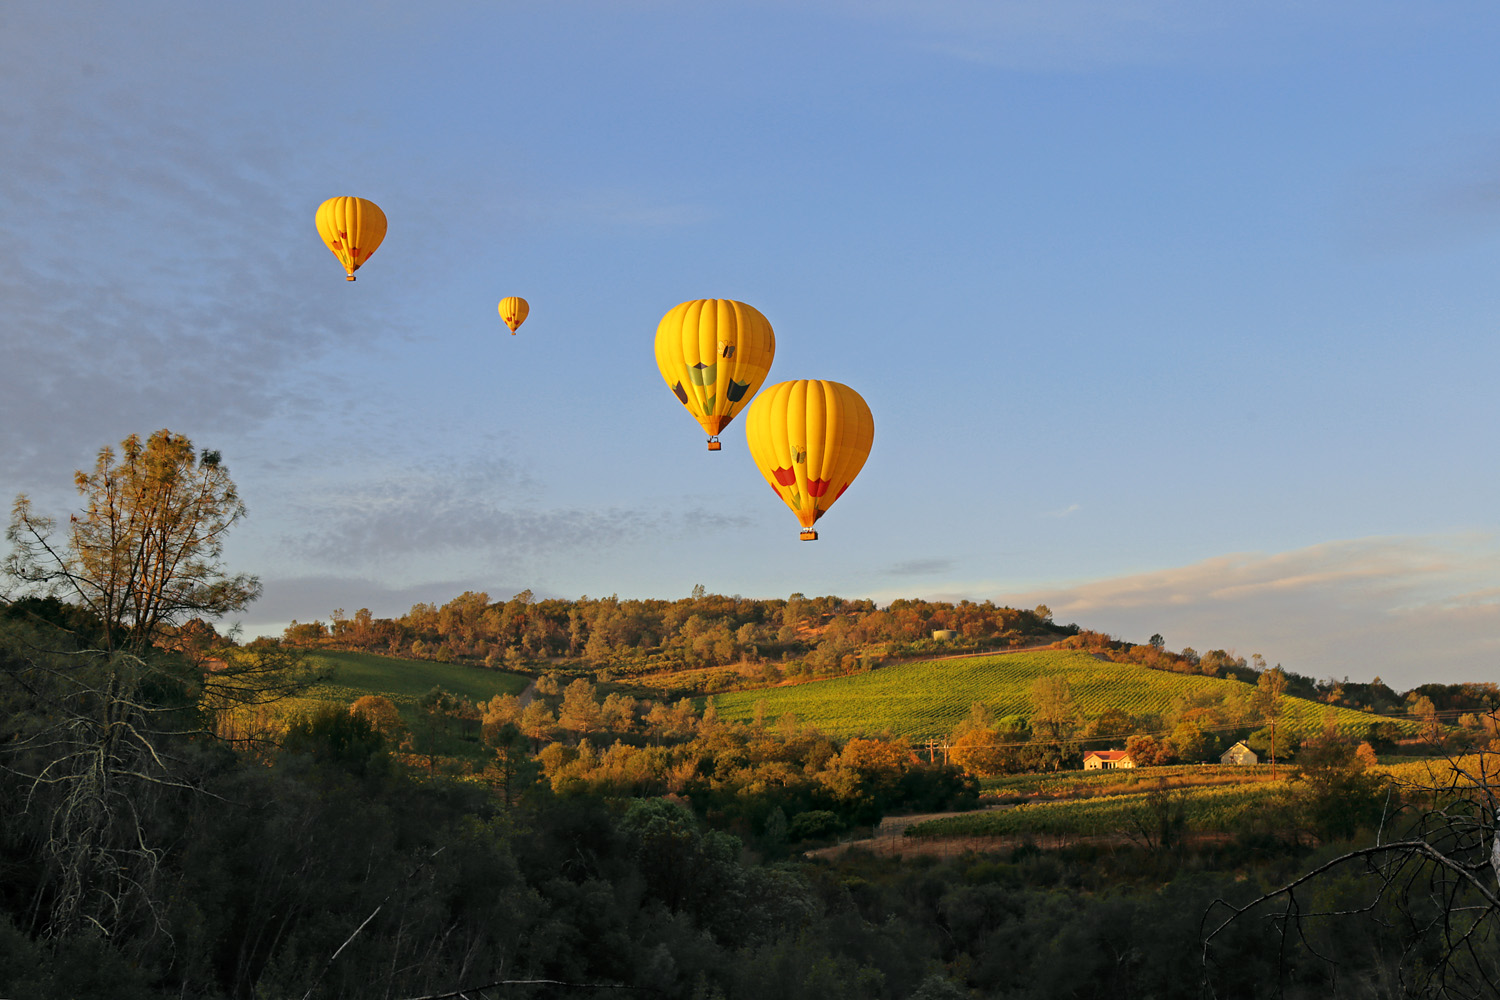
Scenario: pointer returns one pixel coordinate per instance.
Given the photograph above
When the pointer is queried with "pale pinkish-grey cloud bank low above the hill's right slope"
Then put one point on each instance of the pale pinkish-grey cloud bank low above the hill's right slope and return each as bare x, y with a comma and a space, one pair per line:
1411, 609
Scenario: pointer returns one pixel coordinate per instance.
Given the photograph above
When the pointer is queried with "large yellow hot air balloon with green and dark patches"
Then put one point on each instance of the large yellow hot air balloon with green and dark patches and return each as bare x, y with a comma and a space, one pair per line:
715, 353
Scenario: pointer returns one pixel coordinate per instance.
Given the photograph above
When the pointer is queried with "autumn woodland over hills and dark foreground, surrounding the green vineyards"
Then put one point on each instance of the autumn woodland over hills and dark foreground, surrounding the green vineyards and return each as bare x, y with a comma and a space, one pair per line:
152, 846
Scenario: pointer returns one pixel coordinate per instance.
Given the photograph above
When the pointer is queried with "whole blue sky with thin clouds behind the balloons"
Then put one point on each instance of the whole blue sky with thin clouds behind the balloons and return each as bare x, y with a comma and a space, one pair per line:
1178, 317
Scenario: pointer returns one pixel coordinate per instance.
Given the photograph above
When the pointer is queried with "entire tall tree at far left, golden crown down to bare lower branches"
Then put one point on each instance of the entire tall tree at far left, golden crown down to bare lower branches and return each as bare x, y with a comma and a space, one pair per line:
106, 708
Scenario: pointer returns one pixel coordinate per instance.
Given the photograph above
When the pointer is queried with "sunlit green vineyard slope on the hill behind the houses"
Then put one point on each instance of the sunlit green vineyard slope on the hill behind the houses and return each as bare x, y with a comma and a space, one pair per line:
931, 698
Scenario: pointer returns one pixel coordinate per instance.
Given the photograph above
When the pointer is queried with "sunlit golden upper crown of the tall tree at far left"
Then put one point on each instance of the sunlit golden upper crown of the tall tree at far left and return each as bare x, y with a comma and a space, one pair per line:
146, 551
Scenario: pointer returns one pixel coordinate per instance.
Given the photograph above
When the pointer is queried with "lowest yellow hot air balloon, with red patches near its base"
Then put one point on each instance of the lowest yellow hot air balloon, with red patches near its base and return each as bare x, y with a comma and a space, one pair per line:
809, 439
